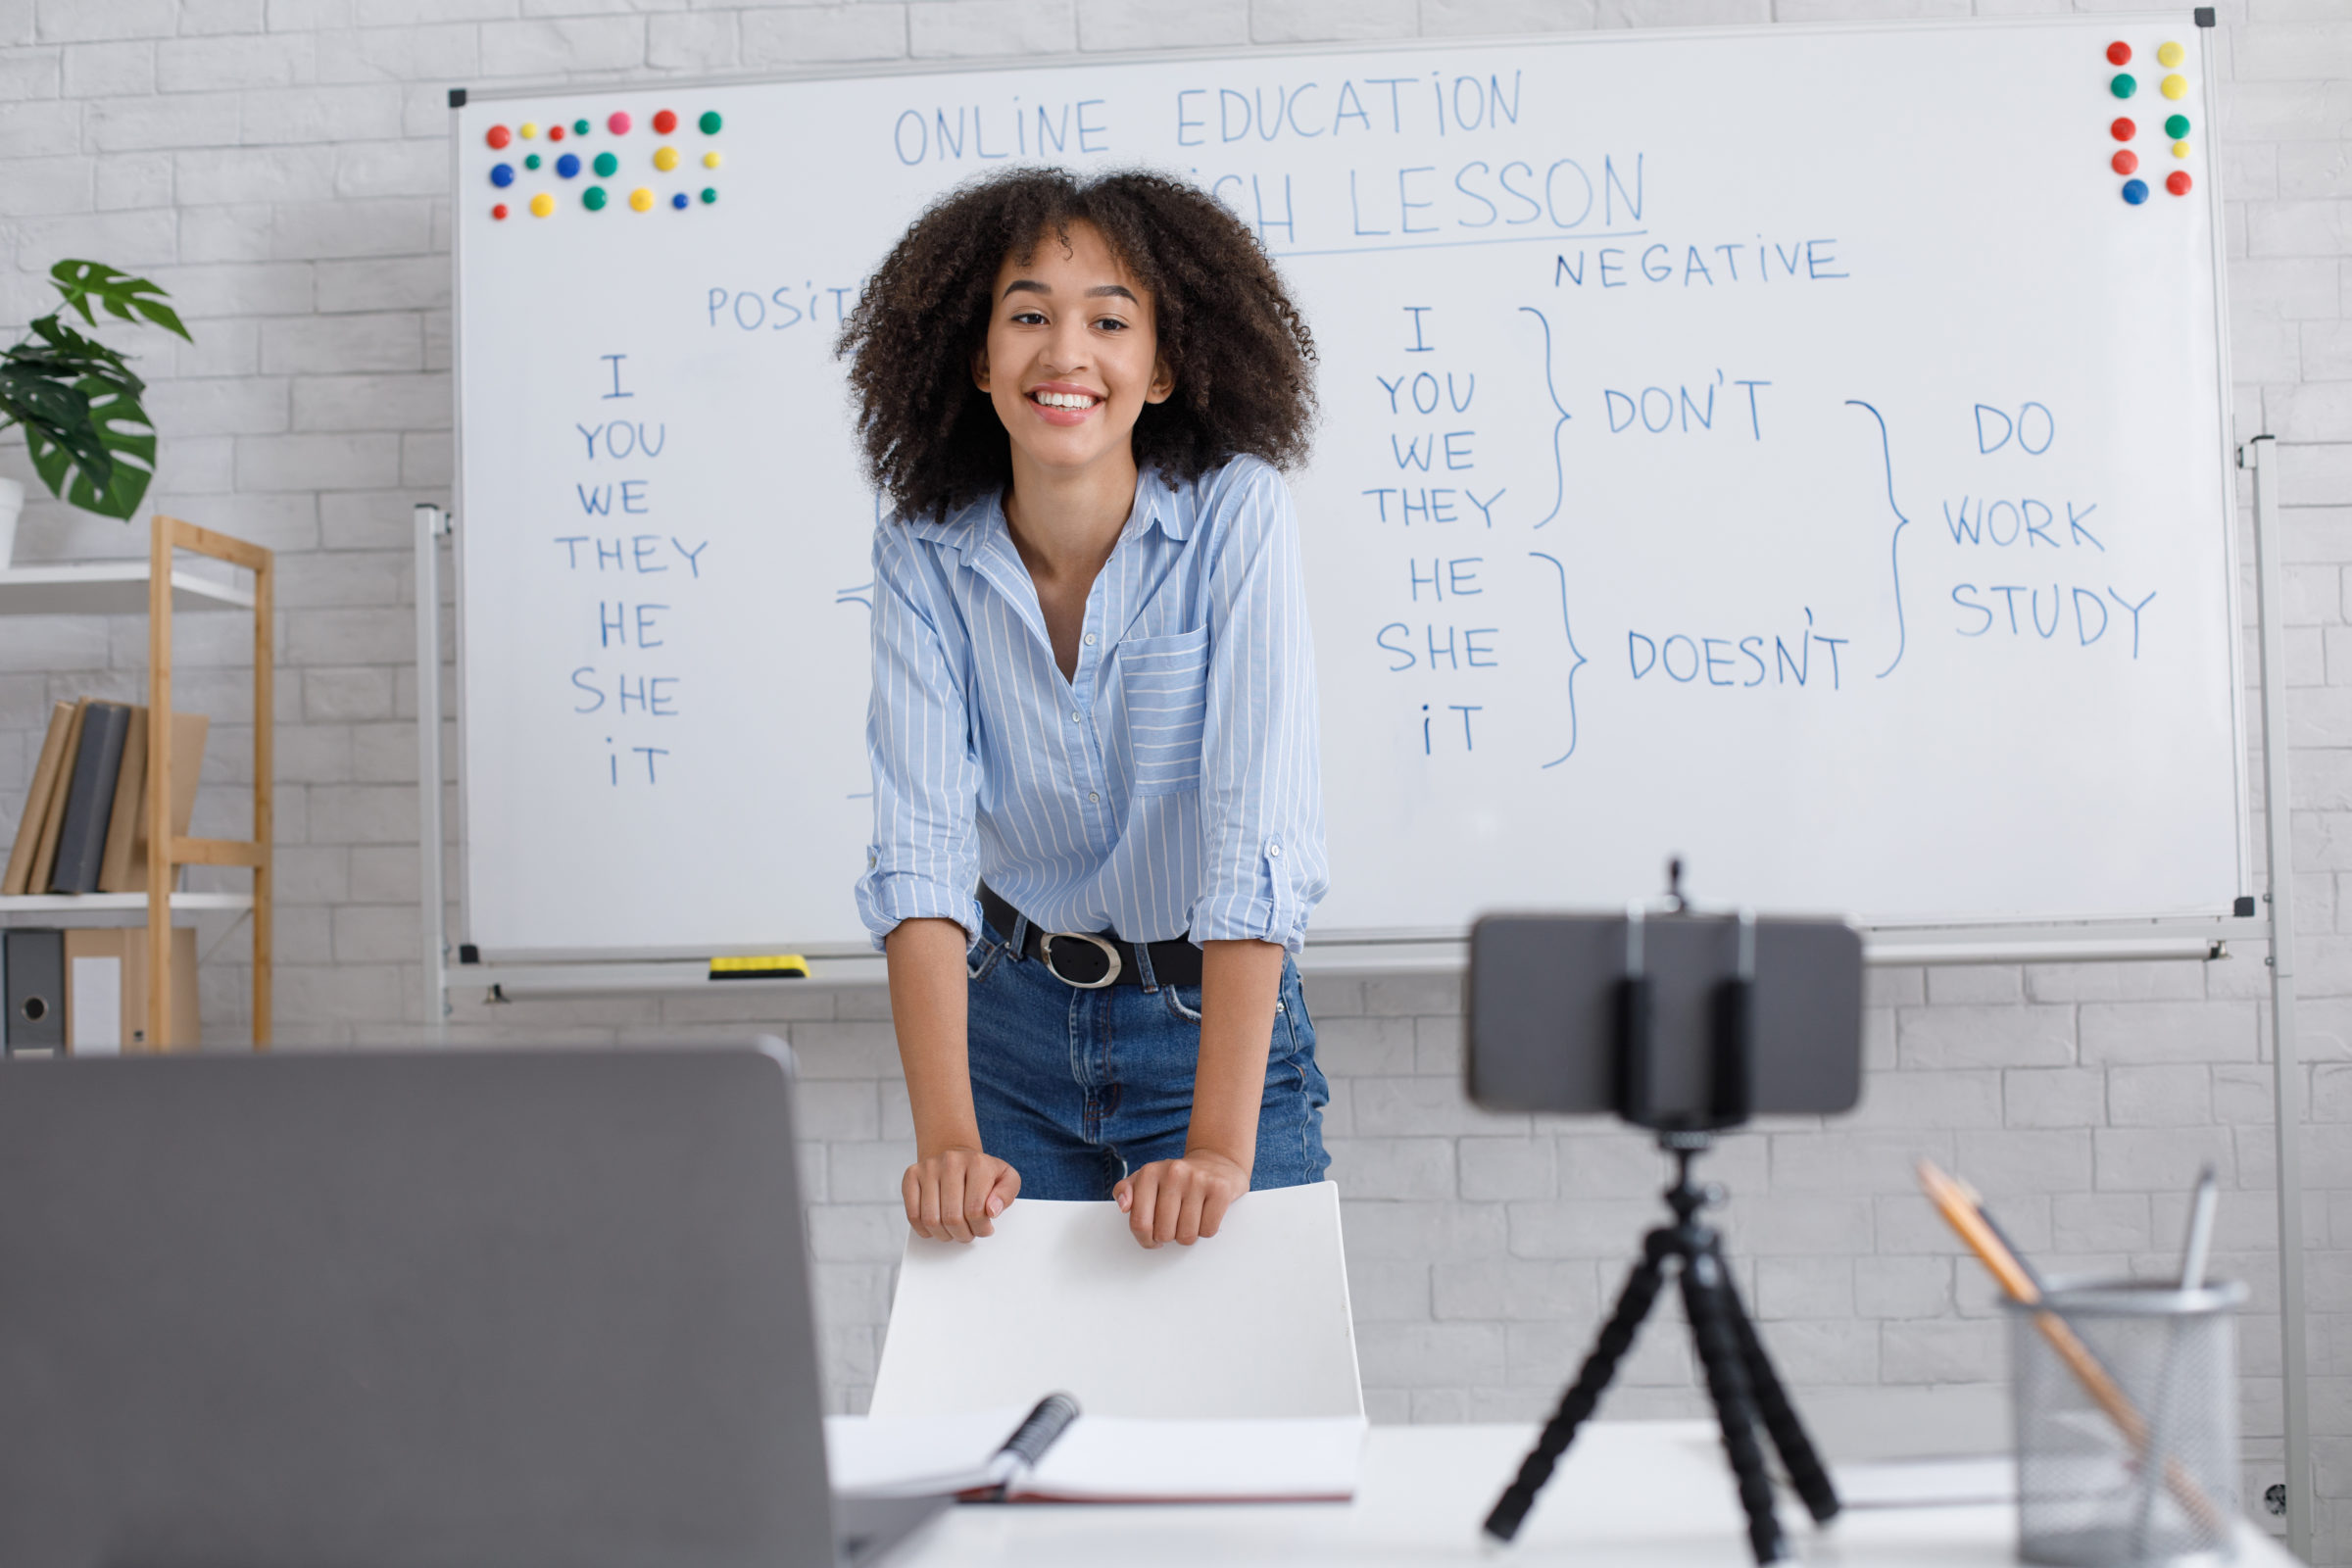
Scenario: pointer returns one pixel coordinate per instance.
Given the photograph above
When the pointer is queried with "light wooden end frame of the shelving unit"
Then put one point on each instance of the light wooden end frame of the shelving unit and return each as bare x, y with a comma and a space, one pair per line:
166, 852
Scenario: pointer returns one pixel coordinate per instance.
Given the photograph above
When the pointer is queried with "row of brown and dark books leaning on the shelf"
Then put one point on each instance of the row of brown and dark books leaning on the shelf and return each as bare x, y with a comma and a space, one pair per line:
83, 826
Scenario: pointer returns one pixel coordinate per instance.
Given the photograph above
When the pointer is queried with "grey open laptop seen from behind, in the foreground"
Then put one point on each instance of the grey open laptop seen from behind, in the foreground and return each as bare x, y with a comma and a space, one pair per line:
413, 1311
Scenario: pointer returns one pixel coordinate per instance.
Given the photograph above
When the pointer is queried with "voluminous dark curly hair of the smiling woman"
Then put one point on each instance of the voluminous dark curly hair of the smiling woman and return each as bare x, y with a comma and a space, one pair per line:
1229, 333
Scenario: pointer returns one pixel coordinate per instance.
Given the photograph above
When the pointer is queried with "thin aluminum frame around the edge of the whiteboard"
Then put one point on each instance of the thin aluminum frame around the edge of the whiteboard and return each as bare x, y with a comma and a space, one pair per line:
2090, 934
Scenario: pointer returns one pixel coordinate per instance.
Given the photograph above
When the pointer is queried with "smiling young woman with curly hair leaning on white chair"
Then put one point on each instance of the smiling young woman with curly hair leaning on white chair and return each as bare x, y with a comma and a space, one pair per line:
1095, 702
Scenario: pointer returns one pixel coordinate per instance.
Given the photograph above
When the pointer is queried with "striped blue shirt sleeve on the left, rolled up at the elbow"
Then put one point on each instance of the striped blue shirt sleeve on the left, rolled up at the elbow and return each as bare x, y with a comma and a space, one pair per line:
918, 739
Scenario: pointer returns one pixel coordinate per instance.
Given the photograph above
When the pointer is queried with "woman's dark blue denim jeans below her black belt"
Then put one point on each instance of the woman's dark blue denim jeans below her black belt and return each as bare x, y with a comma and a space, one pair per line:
1081, 1087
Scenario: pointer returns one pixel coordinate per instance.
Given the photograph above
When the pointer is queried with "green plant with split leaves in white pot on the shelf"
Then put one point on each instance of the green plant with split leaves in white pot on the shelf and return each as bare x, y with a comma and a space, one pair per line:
79, 401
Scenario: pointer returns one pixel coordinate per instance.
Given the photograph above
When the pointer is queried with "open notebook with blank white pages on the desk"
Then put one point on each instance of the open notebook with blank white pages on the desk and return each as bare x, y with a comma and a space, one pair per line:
1100, 1459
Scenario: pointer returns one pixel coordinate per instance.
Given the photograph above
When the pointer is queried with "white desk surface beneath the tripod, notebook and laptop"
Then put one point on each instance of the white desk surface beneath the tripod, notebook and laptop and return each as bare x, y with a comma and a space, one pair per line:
1629, 1494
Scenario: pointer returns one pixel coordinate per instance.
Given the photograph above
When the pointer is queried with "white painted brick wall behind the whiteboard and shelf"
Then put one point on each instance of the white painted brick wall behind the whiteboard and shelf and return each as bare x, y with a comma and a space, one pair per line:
279, 166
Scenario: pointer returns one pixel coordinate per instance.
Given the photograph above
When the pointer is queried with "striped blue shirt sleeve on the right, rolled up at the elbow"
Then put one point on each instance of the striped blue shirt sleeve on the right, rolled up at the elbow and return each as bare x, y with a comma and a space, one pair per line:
1262, 768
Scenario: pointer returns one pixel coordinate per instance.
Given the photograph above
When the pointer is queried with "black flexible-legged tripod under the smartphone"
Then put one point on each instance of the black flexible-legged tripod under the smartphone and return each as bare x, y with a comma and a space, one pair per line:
1742, 1379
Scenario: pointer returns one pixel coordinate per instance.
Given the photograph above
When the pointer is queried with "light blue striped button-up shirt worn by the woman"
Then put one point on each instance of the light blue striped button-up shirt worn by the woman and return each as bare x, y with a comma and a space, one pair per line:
1172, 786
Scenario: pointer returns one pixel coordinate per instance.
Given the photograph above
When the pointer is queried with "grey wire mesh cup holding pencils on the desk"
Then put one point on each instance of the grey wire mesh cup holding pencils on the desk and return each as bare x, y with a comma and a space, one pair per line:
2127, 1423
